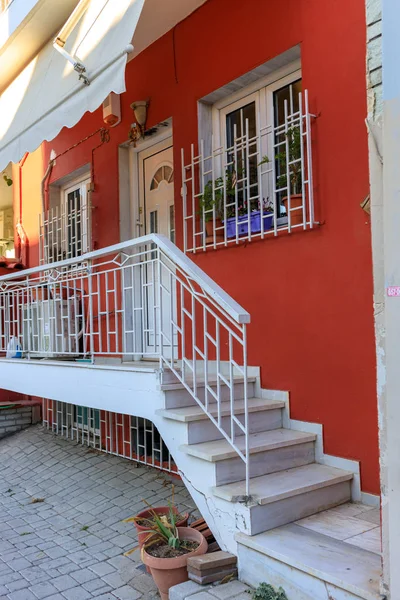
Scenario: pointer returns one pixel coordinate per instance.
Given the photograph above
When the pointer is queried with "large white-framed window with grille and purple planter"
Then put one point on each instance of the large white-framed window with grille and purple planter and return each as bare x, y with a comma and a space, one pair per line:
254, 177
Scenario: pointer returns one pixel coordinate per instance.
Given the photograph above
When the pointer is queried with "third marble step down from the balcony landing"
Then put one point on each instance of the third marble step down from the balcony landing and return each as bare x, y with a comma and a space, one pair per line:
270, 451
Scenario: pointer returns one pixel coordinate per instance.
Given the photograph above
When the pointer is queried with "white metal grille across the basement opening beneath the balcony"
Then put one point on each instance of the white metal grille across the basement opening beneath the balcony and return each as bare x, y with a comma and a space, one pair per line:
127, 436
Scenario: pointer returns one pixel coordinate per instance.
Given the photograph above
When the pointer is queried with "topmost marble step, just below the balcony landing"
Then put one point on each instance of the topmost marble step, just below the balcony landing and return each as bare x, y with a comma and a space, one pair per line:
177, 396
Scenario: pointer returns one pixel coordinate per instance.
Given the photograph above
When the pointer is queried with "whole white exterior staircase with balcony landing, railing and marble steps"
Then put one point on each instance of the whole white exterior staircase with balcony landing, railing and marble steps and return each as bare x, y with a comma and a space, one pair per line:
250, 476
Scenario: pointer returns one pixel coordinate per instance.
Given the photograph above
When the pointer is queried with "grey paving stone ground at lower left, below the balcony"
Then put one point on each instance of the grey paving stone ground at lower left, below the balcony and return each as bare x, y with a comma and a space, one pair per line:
71, 545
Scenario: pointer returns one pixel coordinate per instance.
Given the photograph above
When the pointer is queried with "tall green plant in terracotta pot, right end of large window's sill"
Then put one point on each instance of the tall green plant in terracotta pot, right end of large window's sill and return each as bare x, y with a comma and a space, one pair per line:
295, 183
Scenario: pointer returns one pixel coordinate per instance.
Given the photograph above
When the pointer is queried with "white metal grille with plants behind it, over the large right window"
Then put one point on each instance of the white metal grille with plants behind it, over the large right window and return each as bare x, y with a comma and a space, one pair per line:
257, 187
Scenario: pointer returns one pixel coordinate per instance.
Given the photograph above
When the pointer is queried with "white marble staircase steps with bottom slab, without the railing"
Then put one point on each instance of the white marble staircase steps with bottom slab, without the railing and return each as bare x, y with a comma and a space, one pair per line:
286, 484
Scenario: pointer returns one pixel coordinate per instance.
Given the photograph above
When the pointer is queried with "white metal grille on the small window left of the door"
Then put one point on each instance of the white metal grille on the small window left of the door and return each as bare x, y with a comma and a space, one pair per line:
64, 232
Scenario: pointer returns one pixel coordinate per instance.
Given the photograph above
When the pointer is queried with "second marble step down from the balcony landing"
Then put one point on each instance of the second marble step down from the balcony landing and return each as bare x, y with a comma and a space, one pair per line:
264, 415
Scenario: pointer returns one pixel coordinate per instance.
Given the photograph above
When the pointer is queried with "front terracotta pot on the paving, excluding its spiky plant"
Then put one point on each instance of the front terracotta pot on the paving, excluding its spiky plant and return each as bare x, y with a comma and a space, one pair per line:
168, 572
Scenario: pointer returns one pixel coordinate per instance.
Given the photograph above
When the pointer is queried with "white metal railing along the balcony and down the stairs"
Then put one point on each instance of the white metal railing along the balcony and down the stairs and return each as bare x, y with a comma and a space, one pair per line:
140, 298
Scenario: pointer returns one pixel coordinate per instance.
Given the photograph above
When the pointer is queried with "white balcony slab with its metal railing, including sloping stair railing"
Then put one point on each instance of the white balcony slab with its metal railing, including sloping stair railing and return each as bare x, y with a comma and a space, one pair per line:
79, 331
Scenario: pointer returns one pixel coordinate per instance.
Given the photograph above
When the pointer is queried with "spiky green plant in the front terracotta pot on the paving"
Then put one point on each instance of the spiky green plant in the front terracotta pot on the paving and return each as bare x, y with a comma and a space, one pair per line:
167, 549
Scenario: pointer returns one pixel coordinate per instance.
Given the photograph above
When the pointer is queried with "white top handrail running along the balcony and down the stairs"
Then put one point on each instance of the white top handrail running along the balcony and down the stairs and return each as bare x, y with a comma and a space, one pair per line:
237, 312
